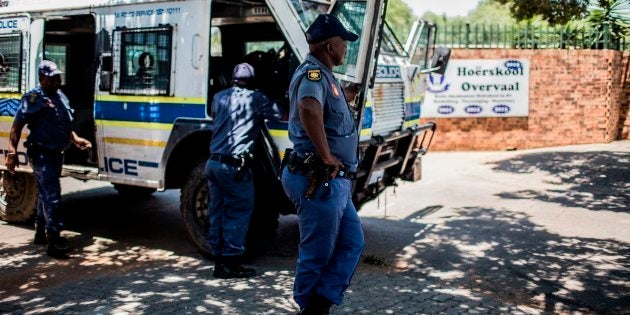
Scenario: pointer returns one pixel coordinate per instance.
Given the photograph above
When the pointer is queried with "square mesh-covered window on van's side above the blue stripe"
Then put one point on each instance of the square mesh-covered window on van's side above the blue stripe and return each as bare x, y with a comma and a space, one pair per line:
143, 57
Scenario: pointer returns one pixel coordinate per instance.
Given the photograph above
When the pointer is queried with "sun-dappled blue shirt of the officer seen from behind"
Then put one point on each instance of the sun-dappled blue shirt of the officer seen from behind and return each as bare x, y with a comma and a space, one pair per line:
239, 115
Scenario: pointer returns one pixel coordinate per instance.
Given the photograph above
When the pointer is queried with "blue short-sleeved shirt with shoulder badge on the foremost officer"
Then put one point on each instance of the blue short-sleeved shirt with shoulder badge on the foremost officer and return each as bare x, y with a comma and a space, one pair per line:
313, 79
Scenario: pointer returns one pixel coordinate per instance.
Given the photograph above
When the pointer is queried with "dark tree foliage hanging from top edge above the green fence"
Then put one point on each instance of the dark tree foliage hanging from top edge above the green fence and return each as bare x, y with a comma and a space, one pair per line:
554, 11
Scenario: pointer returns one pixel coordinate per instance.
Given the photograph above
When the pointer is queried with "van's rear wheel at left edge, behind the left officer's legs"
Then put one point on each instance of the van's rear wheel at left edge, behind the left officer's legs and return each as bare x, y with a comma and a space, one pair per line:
18, 197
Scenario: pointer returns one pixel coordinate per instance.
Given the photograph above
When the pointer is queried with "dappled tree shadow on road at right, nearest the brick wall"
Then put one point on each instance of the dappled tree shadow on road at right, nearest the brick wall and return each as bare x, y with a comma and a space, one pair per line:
597, 180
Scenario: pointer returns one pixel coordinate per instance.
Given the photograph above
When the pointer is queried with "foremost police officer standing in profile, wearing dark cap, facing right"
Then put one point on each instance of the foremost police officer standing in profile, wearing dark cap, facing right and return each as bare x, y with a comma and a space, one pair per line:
321, 127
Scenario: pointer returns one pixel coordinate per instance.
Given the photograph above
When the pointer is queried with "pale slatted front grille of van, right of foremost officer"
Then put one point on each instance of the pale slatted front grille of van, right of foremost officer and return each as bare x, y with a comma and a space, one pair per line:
388, 111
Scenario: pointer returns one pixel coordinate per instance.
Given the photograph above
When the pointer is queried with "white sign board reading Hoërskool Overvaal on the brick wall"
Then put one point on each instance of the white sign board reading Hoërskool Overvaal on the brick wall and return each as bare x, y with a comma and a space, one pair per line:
479, 88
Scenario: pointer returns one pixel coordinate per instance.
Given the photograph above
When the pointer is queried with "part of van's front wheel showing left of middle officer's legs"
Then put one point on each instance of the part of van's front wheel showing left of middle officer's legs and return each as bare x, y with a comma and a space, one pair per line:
194, 207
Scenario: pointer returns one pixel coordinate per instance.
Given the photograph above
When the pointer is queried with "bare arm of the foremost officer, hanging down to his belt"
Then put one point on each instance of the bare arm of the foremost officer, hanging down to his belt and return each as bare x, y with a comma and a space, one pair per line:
312, 118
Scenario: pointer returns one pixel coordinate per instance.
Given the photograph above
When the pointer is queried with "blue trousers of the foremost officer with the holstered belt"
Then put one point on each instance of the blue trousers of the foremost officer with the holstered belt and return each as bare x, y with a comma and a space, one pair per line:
331, 238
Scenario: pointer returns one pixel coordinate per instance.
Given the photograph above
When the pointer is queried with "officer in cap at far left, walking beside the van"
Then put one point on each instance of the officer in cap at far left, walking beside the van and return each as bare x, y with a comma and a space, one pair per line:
46, 111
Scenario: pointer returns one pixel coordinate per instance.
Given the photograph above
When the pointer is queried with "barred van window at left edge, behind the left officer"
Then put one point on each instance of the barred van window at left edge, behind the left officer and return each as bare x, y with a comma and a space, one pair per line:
10, 62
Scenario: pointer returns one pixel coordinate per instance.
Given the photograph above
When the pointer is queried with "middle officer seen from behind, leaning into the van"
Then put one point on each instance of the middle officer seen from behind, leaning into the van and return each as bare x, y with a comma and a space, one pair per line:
239, 115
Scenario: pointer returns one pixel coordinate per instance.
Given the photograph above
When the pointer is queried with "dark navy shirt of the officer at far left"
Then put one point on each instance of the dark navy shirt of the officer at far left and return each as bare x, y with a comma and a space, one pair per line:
48, 117
